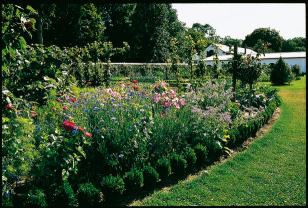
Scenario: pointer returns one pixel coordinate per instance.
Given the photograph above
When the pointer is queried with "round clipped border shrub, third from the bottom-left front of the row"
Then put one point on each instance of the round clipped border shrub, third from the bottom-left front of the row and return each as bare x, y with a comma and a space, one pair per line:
133, 179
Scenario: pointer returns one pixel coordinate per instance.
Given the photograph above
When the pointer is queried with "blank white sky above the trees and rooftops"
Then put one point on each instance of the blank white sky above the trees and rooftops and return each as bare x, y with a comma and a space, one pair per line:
239, 20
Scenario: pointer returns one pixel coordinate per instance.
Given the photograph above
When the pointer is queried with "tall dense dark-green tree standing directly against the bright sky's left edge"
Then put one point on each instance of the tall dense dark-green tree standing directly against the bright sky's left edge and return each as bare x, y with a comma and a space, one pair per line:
152, 32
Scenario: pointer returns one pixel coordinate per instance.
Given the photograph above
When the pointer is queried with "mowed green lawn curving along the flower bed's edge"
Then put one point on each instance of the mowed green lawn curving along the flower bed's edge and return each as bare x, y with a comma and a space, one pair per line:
272, 171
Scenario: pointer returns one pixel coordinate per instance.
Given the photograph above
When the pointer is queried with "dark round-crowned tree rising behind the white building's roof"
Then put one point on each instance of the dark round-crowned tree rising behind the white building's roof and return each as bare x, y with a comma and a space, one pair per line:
267, 36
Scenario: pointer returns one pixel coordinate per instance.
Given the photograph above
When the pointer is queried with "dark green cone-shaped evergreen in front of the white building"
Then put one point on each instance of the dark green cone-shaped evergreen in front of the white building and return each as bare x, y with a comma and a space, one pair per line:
281, 73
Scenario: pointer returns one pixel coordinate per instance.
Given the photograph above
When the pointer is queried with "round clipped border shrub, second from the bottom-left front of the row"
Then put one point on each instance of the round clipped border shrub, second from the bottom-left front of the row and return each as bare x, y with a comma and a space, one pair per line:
112, 187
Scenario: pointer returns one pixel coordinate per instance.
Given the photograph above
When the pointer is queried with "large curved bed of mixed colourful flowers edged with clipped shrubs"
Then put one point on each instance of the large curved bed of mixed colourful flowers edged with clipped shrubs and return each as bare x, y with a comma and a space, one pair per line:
125, 136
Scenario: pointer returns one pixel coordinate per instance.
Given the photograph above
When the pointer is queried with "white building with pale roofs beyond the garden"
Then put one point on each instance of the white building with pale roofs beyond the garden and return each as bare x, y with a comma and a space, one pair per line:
225, 55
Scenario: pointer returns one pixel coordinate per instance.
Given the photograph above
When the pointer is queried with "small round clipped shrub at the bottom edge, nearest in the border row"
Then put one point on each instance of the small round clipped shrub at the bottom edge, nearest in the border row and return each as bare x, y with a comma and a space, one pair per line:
87, 195
